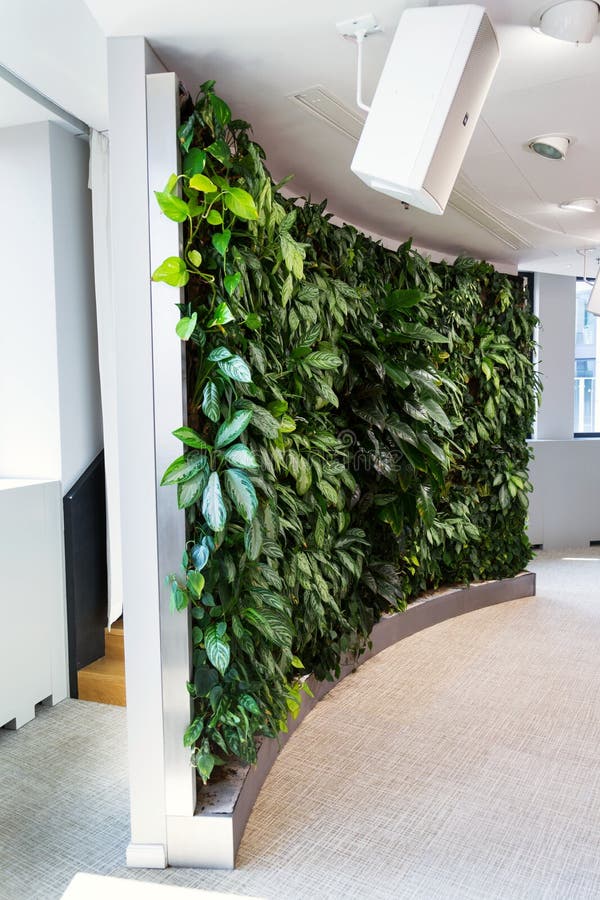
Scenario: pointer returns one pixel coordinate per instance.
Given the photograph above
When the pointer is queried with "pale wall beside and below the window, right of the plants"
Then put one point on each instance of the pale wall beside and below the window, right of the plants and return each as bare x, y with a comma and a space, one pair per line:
565, 472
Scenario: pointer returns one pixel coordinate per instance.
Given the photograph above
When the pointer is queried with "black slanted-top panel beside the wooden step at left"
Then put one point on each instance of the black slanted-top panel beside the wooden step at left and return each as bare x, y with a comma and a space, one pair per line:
86, 568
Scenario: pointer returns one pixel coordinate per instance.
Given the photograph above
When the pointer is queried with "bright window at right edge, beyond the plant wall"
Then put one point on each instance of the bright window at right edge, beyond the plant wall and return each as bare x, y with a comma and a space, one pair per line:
587, 396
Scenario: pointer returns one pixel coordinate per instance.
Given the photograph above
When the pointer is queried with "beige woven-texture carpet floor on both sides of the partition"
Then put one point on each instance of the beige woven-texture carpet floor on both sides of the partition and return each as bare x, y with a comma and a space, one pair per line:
462, 763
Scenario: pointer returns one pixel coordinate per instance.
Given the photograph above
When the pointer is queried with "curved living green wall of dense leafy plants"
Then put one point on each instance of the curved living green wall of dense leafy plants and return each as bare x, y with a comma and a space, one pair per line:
356, 433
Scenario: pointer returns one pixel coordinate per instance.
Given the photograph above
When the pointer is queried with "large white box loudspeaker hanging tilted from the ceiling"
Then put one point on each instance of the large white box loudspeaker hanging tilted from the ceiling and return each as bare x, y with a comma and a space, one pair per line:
436, 77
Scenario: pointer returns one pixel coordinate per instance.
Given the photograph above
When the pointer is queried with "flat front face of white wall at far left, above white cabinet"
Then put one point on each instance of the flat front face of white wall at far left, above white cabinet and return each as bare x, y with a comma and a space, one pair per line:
29, 407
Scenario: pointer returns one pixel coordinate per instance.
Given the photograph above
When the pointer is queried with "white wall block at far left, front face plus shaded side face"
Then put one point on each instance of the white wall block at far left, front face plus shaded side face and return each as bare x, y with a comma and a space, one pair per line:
49, 384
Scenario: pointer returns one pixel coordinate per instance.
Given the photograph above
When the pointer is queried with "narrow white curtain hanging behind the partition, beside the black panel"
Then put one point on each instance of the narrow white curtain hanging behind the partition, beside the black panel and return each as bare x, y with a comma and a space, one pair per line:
99, 185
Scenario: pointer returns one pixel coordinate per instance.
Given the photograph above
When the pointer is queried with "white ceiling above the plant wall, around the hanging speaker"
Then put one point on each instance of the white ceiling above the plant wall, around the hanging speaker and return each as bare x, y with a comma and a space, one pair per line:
263, 51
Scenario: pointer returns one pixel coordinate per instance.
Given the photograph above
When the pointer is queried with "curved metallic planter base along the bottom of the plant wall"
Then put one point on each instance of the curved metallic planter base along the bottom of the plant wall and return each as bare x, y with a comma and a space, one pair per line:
211, 837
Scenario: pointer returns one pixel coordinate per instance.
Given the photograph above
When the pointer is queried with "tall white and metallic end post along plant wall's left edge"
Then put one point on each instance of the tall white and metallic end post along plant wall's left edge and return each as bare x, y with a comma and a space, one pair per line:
143, 118
